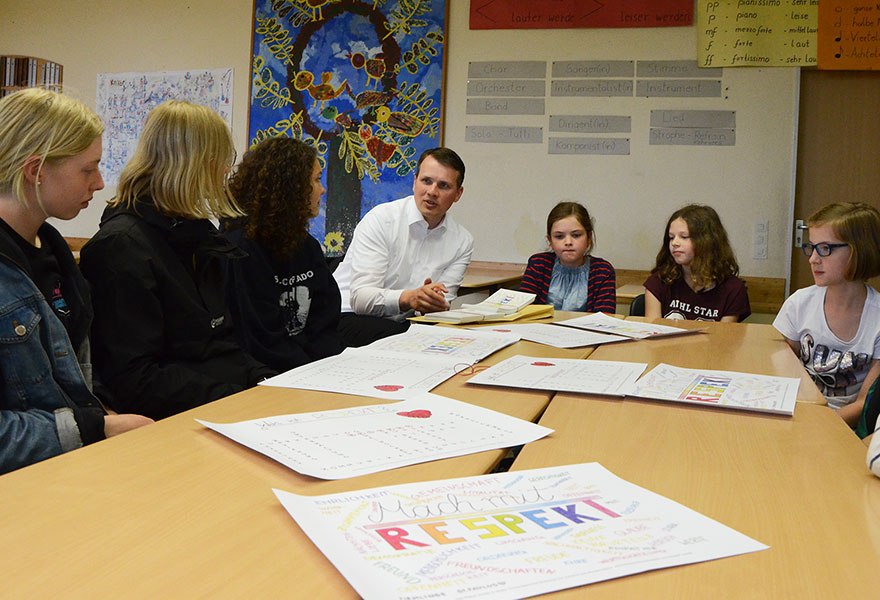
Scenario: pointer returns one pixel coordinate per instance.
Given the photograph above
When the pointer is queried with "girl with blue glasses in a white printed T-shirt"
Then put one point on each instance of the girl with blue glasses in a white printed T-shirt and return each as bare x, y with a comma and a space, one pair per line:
834, 325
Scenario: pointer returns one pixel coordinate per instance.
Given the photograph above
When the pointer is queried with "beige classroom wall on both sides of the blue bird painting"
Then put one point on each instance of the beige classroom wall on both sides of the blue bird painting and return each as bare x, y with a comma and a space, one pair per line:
509, 188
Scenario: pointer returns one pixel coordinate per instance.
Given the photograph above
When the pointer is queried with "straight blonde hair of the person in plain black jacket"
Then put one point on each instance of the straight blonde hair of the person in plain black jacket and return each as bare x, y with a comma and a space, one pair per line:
180, 162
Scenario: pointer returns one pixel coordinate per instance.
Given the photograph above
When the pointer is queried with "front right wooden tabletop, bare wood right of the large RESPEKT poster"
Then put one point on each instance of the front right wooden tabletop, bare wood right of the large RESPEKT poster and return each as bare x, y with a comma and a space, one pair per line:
798, 484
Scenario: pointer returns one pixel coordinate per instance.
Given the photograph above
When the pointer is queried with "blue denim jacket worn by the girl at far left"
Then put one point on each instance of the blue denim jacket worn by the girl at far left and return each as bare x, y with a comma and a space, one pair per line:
46, 406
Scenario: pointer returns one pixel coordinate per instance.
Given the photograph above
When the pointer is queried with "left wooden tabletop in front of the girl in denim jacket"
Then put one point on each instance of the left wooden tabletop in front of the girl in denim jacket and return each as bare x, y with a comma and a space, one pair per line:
176, 510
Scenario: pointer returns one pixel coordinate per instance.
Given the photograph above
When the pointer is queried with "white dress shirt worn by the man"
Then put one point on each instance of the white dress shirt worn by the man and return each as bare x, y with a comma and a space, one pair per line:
393, 250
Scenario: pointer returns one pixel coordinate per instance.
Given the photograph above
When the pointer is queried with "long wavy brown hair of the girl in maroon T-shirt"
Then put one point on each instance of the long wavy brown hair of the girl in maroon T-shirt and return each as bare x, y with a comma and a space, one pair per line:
714, 260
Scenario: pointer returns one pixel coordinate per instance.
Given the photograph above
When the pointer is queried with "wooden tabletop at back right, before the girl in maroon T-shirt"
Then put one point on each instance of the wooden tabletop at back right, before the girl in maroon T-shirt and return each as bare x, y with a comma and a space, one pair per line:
746, 347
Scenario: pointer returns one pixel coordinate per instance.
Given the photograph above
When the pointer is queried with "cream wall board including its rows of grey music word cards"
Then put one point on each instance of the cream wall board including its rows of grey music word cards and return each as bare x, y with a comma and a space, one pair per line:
624, 121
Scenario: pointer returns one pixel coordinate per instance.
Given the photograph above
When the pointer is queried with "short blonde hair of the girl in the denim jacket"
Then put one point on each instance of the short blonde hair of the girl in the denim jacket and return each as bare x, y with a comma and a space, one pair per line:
36, 122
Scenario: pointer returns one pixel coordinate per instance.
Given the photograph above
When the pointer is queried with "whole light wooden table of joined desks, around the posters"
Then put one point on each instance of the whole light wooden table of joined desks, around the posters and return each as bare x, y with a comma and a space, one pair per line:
177, 510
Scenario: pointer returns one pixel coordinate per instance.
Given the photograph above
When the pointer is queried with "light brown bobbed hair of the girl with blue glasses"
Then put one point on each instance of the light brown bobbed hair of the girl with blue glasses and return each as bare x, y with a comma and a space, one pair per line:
856, 224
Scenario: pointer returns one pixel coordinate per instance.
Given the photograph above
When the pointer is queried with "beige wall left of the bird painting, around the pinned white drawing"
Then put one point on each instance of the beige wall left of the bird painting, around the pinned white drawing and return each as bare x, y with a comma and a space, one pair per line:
111, 36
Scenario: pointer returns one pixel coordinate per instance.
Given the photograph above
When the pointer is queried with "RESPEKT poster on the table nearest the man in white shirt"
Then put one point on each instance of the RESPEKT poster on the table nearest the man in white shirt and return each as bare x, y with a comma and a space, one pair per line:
464, 346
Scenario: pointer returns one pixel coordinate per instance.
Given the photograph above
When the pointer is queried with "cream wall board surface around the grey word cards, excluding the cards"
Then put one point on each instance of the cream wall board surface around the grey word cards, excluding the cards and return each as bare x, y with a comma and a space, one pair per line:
511, 187
